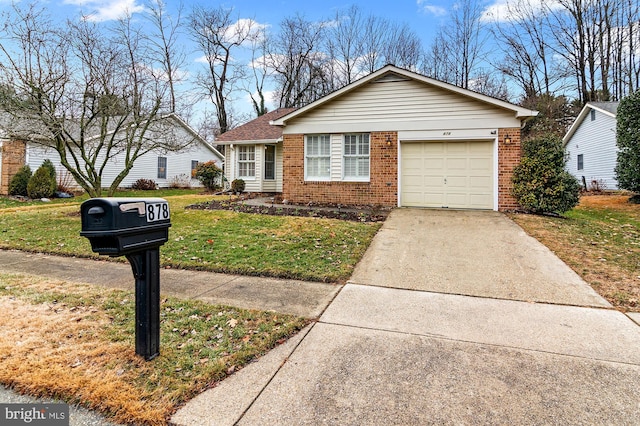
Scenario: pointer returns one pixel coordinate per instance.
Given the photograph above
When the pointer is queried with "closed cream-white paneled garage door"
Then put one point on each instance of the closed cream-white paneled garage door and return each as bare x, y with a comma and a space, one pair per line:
447, 174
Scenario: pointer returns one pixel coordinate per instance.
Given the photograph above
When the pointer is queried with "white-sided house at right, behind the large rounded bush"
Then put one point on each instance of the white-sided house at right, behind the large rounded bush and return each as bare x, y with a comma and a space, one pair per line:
590, 145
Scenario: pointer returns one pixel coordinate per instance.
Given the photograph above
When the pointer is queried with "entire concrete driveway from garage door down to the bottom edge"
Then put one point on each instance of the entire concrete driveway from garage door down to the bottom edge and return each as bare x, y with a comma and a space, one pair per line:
450, 318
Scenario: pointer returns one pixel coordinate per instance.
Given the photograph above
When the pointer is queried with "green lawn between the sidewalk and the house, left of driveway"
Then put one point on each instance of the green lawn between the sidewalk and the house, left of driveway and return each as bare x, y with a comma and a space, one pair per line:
221, 241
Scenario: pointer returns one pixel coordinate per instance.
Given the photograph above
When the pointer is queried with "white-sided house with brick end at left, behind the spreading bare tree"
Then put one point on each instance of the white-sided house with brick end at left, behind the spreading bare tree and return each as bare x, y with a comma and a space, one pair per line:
164, 168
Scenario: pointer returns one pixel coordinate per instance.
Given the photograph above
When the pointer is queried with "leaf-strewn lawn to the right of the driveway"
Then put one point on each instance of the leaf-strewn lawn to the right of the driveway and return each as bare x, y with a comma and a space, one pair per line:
600, 240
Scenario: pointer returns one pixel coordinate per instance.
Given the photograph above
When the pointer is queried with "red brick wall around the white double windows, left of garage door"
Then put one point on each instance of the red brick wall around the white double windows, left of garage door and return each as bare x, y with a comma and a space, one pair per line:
382, 188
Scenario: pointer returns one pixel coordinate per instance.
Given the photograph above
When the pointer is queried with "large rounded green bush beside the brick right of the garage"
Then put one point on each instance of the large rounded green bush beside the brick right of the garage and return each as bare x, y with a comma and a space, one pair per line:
540, 182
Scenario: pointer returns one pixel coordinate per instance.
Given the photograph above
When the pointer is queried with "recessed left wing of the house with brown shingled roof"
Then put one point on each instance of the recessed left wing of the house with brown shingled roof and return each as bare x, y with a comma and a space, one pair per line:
253, 153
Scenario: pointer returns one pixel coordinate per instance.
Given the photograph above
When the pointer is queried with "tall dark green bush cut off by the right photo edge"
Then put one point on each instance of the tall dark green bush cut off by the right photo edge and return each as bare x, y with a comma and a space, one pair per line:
628, 140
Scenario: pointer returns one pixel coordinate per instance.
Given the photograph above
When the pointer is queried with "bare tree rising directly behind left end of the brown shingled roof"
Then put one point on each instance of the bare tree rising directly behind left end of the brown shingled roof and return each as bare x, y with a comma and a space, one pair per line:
218, 35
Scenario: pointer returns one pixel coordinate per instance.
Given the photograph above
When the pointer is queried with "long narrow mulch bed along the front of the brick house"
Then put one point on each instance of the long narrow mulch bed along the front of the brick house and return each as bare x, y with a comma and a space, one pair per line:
354, 213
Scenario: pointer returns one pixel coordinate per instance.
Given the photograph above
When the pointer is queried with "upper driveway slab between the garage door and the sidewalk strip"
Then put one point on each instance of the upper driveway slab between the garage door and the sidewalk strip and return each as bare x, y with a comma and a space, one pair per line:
472, 253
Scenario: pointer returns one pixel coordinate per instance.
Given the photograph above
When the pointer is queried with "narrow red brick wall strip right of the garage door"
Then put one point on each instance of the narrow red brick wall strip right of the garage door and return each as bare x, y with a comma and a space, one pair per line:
508, 159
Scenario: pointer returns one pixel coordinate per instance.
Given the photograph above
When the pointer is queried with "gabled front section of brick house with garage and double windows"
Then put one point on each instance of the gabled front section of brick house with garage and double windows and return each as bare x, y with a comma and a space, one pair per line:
397, 138
